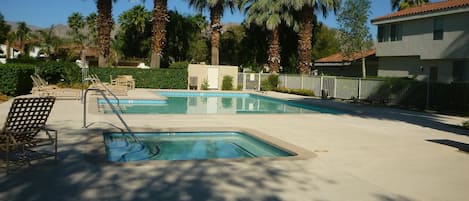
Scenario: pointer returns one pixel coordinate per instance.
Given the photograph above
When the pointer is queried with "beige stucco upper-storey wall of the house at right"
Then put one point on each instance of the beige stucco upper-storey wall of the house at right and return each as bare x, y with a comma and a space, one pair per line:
417, 39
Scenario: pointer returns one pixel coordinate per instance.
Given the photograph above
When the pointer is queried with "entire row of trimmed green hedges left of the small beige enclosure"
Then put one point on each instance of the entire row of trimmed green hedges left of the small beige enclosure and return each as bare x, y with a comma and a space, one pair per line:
15, 77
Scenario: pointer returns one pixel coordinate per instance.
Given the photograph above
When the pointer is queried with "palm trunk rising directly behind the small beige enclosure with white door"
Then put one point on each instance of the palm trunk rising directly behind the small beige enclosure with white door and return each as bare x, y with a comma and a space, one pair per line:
215, 24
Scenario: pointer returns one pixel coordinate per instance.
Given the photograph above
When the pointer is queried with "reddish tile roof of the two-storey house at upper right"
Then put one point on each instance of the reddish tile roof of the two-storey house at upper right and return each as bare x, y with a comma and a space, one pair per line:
426, 8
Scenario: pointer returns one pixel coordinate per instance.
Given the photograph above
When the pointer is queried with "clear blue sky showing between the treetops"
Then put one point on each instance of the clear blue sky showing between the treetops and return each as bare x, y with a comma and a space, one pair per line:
44, 13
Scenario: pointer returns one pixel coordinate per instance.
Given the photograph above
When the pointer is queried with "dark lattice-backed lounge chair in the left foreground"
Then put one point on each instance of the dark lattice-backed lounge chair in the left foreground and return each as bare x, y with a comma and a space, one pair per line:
24, 136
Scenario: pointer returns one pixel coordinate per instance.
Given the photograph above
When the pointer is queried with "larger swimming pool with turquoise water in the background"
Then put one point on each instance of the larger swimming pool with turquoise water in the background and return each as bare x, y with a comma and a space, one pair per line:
214, 103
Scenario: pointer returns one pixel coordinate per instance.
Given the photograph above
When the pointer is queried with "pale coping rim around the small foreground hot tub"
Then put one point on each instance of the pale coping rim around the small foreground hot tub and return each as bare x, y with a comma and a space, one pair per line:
96, 152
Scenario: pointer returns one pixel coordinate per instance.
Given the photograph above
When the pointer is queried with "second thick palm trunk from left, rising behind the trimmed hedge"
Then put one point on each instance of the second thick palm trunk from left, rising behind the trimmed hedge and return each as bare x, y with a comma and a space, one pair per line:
160, 18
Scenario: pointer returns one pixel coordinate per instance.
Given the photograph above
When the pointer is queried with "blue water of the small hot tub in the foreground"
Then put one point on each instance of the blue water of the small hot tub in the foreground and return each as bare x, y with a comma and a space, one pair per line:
188, 146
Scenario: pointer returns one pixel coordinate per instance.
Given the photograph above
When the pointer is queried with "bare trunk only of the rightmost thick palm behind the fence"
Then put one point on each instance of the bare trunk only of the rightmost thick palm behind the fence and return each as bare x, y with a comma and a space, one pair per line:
304, 40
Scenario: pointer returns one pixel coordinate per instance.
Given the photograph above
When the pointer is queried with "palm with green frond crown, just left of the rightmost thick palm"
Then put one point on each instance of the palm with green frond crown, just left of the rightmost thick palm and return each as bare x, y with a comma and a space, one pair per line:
270, 14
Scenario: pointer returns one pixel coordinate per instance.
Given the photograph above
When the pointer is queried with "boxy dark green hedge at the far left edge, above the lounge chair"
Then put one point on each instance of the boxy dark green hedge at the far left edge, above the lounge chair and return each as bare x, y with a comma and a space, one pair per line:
15, 79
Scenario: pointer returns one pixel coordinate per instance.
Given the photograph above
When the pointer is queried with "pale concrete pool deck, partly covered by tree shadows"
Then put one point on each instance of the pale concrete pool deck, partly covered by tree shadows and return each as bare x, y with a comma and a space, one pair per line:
373, 153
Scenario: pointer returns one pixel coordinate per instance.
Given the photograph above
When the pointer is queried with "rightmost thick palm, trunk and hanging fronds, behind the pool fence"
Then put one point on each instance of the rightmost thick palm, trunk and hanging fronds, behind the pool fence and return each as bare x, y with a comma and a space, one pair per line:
306, 10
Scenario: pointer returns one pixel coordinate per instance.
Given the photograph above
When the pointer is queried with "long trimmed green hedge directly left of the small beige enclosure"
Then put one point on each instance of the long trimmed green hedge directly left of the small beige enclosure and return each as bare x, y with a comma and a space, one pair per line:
162, 78
